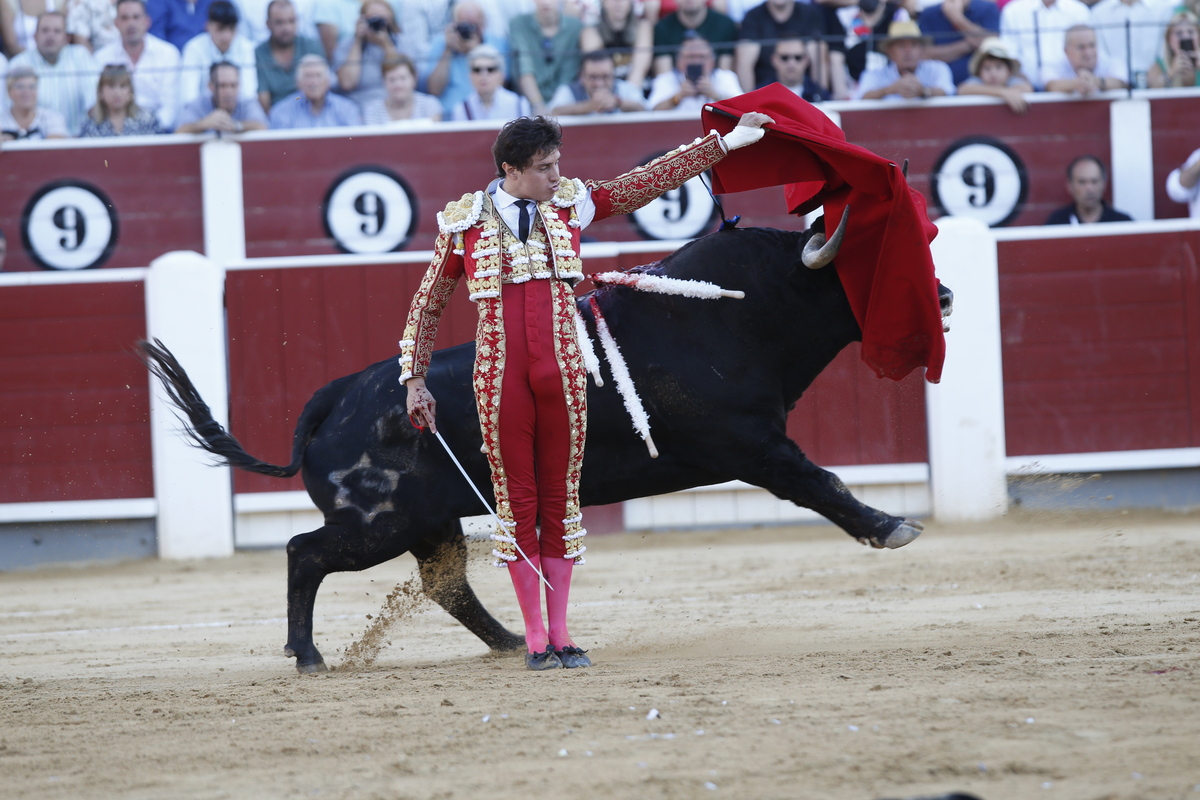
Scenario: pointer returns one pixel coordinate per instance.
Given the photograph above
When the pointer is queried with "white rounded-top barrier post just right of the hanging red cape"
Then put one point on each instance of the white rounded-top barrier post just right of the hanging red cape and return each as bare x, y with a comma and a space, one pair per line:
967, 411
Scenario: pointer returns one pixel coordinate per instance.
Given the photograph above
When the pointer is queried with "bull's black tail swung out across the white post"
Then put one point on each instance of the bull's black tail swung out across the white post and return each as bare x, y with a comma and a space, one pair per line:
206, 432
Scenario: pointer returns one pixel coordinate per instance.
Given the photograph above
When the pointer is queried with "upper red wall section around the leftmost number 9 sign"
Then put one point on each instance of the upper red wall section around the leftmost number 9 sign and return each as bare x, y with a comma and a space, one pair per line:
155, 191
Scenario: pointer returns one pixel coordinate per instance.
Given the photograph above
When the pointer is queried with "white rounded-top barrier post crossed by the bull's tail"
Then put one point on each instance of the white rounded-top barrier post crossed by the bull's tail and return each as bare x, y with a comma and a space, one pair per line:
185, 309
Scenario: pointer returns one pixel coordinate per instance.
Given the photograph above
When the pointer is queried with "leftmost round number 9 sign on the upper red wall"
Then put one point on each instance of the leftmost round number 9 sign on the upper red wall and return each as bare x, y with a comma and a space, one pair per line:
69, 226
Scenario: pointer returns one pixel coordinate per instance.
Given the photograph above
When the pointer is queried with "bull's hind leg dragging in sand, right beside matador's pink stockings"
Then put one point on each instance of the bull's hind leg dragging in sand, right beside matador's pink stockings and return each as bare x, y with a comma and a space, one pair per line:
443, 567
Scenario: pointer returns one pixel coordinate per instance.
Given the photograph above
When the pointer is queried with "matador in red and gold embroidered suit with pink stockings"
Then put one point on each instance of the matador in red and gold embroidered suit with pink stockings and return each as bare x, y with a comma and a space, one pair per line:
518, 244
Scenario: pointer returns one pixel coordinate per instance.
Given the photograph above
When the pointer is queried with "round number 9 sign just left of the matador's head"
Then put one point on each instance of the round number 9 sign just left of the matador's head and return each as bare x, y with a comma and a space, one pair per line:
370, 209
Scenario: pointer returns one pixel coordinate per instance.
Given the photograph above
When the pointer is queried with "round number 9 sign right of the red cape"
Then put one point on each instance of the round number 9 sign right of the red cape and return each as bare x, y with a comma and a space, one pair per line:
982, 178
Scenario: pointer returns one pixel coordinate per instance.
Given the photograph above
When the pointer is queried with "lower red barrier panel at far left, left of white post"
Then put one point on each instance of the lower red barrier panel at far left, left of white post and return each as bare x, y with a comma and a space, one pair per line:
75, 405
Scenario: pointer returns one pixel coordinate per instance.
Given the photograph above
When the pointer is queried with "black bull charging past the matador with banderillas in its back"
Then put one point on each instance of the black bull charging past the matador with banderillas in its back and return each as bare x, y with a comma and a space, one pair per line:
718, 380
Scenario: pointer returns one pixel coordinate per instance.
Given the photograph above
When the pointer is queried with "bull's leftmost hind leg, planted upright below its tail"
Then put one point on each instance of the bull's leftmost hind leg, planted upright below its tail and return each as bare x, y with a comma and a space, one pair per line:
311, 557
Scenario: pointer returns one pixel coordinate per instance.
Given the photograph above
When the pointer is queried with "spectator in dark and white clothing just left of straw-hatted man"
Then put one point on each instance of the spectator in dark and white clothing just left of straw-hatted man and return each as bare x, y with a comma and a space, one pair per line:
855, 35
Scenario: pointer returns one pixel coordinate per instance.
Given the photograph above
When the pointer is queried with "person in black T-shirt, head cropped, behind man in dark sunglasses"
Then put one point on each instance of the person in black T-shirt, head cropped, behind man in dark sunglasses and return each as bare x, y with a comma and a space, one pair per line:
778, 20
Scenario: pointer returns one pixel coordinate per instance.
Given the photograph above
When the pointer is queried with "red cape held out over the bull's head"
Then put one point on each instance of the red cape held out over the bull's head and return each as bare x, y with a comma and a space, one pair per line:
885, 263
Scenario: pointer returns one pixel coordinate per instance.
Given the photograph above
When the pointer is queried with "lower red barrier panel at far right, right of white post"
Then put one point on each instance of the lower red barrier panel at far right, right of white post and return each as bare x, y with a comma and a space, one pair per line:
1102, 344
